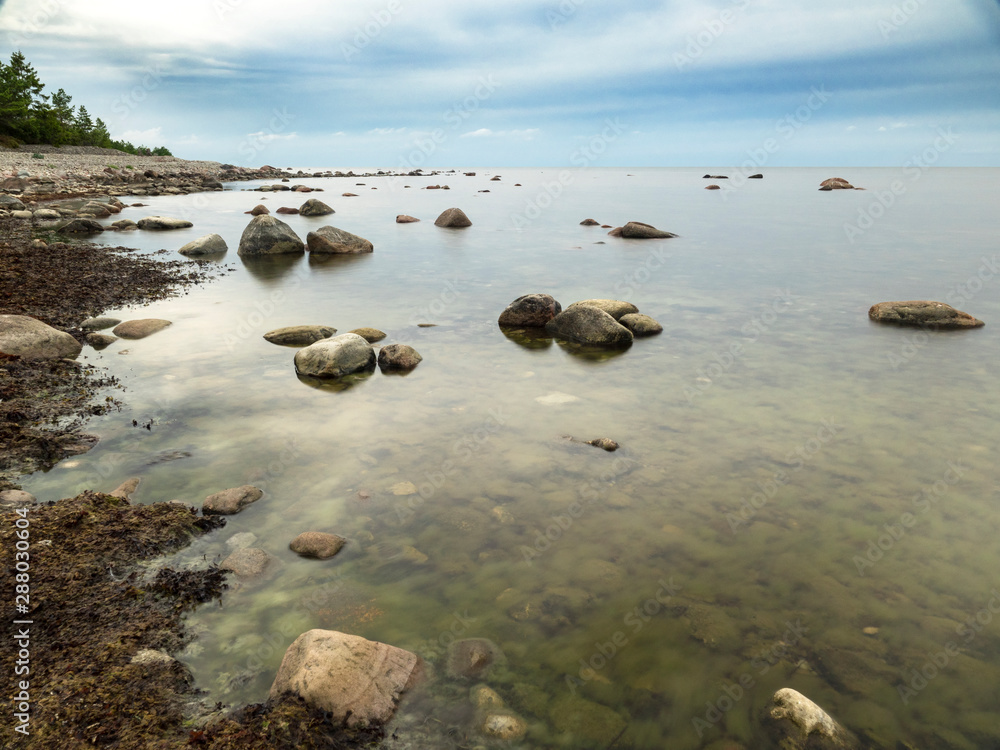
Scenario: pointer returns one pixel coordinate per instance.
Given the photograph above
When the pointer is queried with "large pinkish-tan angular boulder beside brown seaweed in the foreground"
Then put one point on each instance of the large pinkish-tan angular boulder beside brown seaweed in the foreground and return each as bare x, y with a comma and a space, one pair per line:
356, 680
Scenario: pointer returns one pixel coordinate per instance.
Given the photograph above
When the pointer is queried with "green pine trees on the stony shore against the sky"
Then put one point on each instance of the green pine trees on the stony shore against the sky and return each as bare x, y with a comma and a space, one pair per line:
27, 115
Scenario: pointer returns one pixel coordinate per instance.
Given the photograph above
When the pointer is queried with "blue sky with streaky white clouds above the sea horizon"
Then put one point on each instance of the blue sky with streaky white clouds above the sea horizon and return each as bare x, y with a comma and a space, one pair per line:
407, 84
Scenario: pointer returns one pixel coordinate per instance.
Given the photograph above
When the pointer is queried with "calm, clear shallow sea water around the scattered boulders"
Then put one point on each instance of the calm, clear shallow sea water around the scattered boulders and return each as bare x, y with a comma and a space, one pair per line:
801, 498
